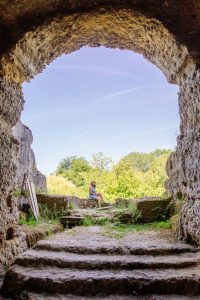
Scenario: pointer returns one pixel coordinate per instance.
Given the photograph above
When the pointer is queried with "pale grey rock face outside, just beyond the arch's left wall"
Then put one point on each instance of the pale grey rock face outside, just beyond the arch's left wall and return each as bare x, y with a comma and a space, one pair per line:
26, 163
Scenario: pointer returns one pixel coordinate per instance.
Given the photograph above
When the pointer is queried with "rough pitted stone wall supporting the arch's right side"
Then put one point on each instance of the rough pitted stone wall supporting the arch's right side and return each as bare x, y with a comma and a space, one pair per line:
183, 167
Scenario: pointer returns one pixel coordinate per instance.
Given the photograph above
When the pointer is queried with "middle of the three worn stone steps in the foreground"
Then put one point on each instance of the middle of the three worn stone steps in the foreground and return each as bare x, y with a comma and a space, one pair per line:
33, 258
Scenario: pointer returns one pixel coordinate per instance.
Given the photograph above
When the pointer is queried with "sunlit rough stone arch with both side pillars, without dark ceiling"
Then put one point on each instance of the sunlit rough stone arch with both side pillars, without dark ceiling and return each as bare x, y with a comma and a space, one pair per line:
124, 28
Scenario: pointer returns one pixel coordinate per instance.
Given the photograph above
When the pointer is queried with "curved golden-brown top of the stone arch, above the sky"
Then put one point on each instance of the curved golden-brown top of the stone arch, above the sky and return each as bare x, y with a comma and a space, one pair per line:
120, 28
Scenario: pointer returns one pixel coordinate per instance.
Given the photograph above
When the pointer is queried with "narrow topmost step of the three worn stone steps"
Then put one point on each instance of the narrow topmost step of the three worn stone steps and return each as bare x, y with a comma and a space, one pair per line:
113, 248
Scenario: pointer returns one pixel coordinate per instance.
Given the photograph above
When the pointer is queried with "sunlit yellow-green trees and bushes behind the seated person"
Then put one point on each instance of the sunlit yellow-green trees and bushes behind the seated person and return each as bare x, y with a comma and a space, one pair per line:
135, 175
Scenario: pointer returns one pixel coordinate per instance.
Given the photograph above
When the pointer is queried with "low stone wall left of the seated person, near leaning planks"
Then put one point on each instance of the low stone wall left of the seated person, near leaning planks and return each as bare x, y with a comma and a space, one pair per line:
64, 202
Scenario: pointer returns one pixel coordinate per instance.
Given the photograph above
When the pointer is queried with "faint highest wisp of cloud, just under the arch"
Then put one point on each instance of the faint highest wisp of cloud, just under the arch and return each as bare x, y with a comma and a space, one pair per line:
102, 70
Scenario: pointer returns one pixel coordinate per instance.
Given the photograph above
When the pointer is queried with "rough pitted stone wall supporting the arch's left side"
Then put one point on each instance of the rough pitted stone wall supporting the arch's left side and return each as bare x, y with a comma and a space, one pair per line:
11, 241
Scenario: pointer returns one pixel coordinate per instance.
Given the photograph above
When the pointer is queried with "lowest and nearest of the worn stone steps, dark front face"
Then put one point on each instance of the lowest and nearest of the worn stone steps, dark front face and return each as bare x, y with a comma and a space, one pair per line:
93, 282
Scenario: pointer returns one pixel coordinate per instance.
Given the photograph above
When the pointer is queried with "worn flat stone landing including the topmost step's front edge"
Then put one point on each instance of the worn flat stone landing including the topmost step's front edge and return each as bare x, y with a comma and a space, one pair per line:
94, 240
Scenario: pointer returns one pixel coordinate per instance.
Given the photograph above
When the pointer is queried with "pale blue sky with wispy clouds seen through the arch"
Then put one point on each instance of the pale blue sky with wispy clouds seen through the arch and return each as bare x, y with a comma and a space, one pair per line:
99, 99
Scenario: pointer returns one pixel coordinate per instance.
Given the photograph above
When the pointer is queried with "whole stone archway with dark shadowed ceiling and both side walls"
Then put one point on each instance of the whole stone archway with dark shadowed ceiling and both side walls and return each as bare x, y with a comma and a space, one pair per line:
156, 32
